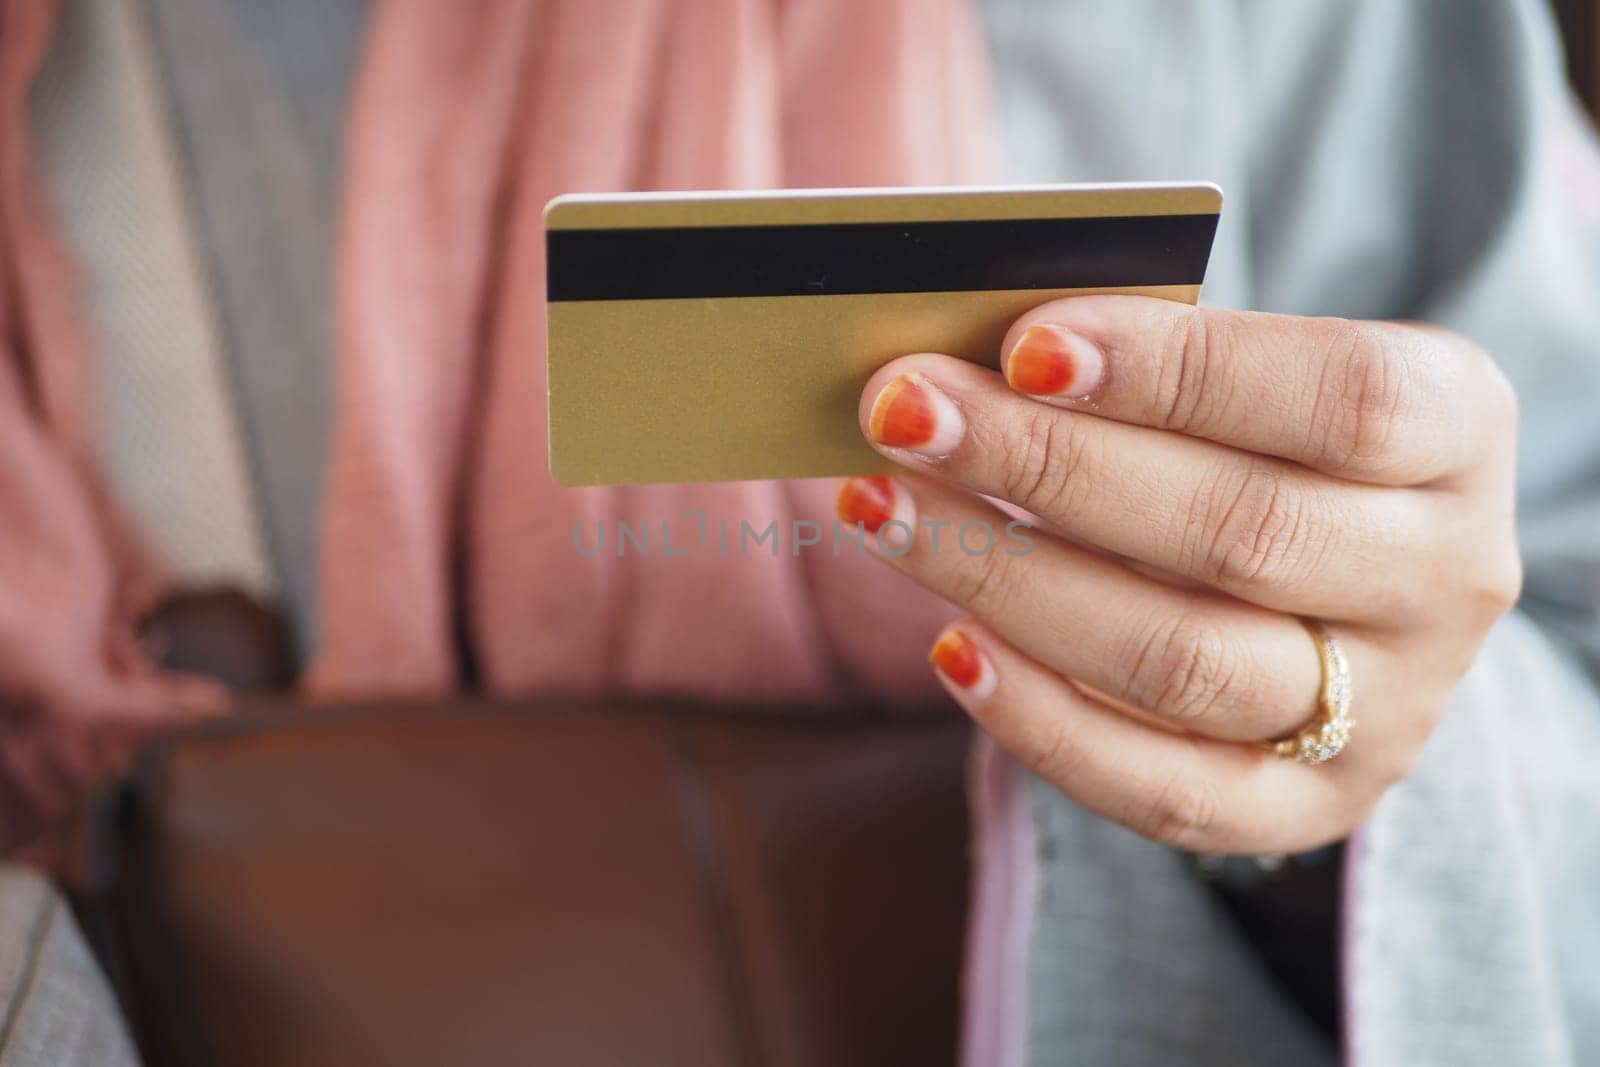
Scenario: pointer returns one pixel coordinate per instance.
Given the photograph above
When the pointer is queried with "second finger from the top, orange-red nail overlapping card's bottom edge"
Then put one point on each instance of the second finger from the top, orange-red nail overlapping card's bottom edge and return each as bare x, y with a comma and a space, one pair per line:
1260, 529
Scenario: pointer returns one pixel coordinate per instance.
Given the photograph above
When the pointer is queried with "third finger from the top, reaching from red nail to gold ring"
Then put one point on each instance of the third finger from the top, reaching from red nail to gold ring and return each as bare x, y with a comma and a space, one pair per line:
1191, 658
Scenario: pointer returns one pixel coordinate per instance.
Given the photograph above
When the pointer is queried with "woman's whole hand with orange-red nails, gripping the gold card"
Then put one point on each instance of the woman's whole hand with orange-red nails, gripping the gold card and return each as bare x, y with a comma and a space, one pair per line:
1353, 473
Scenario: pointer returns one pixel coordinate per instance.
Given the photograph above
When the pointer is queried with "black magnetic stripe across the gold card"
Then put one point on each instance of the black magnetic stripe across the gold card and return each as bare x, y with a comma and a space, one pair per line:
678, 263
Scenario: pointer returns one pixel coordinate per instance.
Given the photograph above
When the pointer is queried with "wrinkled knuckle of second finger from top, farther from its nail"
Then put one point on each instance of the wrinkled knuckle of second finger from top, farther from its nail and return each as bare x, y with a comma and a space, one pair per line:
1255, 530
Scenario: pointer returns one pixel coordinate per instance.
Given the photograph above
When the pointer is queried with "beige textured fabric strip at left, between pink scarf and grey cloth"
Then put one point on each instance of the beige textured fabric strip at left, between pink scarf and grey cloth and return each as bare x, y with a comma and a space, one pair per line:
100, 116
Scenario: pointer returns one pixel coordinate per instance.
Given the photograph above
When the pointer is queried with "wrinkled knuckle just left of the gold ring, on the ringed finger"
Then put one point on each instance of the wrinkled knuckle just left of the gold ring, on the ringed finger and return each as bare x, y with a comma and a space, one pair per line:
1185, 669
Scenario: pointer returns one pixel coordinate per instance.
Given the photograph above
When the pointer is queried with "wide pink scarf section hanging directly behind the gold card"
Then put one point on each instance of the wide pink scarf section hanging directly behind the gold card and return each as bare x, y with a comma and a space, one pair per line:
441, 516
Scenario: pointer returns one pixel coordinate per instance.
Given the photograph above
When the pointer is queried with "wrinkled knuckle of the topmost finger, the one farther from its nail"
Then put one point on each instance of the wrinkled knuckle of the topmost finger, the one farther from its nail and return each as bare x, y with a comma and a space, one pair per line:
1364, 399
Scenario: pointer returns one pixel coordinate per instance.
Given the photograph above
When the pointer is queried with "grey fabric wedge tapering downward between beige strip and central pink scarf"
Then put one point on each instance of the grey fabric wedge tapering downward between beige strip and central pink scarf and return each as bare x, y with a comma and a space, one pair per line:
258, 105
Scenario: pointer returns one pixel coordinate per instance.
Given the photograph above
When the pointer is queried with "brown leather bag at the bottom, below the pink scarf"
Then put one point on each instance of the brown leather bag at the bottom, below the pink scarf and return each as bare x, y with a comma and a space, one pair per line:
474, 884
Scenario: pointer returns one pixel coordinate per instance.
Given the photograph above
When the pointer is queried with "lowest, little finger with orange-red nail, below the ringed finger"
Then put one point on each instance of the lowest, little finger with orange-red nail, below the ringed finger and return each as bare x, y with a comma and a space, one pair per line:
1185, 791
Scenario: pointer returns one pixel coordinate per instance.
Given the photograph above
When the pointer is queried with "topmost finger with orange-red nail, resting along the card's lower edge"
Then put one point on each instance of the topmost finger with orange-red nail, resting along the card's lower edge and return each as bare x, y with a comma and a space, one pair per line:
1364, 401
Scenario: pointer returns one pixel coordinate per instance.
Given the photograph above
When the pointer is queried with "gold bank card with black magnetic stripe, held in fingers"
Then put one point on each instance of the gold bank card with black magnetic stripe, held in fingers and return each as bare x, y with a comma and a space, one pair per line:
727, 337
